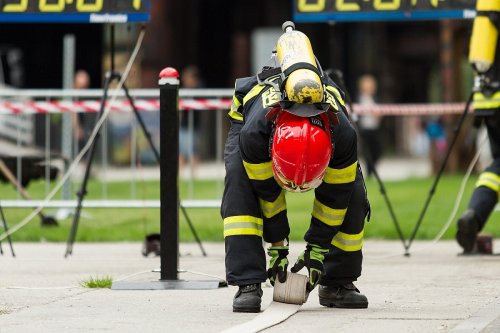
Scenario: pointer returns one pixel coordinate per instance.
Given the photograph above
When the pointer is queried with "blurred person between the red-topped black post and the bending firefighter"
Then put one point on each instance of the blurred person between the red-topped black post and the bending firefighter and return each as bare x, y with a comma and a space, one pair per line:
189, 137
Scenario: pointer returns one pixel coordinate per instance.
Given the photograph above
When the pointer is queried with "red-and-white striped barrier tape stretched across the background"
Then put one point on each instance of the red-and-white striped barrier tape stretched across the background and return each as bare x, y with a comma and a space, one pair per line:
41, 107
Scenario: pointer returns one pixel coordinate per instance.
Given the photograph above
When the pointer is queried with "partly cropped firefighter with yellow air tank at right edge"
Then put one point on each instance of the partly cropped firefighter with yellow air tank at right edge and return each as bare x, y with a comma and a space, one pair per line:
484, 56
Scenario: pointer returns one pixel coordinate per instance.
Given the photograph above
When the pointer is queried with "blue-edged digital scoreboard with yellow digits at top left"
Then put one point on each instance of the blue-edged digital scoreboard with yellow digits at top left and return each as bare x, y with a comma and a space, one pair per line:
74, 11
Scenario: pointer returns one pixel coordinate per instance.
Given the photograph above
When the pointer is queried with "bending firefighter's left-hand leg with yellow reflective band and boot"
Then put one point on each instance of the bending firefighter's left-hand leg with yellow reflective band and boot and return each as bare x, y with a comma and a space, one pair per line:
243, 227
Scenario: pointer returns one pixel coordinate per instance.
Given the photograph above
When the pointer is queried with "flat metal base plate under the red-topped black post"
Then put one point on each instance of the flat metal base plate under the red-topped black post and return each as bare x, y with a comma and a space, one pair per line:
168, 284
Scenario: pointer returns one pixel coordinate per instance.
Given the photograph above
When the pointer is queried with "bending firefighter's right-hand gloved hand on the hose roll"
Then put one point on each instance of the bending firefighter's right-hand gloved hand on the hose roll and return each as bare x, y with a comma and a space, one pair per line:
312, 258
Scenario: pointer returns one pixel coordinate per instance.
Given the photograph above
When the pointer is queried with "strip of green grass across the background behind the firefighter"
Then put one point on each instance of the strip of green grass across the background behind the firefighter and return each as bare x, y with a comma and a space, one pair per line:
98, 225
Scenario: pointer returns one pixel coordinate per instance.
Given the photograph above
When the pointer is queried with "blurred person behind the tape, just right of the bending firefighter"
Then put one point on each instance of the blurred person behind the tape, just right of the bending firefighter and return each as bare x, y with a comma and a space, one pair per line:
369, 124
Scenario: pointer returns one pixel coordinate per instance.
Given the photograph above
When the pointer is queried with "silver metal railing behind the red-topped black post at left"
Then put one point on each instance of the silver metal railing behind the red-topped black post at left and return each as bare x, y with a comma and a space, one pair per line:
33, 104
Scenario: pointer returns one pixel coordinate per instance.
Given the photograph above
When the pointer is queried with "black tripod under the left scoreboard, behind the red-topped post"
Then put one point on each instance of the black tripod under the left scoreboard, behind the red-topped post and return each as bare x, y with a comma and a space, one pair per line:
110, 76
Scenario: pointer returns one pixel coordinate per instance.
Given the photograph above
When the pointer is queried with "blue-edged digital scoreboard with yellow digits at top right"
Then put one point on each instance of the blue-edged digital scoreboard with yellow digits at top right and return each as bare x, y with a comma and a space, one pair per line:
382, 10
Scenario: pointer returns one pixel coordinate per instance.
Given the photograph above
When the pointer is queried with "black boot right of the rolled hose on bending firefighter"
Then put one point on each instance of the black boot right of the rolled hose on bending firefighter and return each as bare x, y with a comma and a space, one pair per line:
345, 296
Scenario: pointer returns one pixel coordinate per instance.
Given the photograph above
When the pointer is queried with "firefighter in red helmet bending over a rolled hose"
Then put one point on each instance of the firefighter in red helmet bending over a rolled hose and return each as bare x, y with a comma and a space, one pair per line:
282, 142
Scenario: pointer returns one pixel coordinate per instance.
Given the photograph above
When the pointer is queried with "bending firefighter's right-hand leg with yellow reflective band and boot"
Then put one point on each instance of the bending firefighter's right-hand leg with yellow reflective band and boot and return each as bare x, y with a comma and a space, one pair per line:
344, 261
